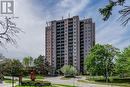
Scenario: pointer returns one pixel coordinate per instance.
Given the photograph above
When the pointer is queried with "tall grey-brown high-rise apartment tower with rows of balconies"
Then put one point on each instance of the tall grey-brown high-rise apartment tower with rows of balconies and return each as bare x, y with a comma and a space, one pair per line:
68, 41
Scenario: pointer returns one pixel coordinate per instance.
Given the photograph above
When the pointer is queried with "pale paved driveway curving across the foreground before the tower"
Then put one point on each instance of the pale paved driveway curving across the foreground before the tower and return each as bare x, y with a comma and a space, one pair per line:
57, 80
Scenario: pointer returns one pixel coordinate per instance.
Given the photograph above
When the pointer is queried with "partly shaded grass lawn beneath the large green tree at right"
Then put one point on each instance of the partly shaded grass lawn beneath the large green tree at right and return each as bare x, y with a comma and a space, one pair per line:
114, 81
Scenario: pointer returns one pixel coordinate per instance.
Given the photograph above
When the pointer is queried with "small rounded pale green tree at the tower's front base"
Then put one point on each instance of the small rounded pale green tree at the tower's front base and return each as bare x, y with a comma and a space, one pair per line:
68, 71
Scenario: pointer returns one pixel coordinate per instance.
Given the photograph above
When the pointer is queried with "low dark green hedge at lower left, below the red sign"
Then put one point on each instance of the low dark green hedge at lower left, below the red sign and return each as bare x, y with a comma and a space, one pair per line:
35, 83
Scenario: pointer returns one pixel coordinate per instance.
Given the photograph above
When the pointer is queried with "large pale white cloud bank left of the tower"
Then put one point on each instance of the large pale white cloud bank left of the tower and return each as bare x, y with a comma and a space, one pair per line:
30, 42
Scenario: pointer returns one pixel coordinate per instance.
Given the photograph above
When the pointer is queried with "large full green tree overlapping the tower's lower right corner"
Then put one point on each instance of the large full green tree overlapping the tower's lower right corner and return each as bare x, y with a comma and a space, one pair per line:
100, 60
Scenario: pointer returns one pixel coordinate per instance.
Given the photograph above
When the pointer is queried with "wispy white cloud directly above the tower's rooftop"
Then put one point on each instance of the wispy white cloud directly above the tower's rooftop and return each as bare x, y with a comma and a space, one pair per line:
73, 6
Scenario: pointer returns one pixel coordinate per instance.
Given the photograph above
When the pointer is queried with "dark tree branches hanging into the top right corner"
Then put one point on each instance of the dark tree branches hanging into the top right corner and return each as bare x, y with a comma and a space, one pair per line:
107, 10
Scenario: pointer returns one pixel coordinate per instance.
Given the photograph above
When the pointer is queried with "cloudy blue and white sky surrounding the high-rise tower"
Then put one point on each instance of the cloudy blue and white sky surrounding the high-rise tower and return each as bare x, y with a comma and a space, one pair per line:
33, 15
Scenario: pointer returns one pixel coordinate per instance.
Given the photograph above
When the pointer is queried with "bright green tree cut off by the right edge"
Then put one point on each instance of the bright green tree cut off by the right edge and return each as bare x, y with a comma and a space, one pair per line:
123, 63
